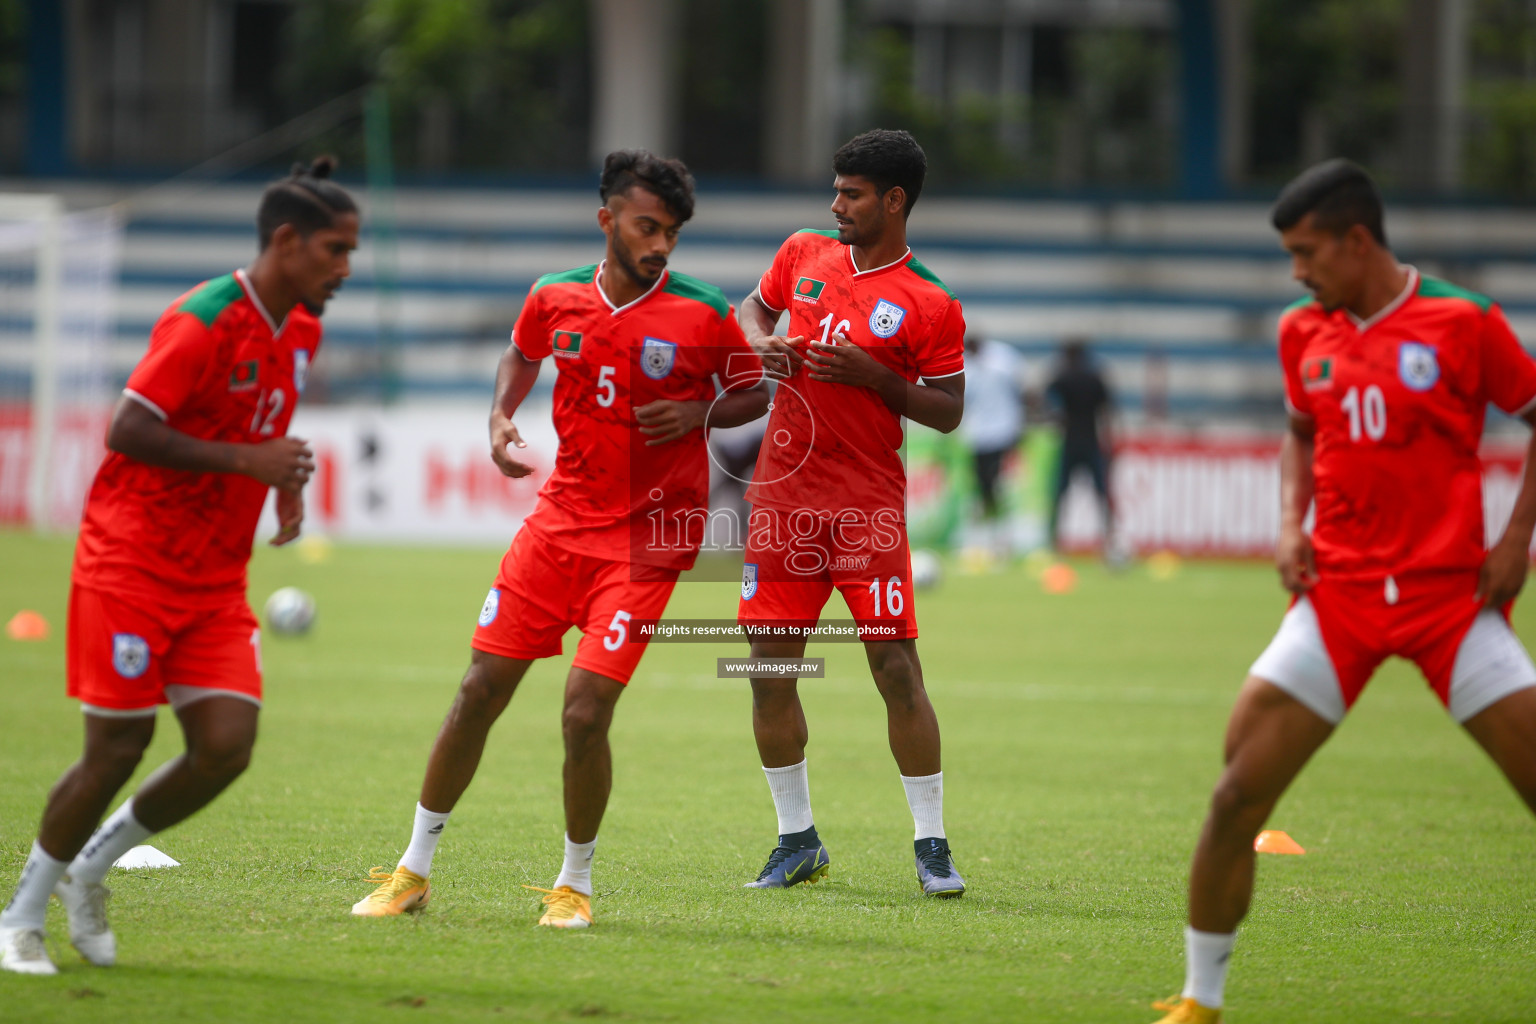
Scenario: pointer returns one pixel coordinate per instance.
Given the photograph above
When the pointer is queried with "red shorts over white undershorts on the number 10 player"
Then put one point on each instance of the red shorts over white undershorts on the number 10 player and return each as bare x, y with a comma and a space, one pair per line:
1422, 618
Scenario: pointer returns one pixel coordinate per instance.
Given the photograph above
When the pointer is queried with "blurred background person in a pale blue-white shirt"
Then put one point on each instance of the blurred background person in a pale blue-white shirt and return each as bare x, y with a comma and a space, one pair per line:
993, 426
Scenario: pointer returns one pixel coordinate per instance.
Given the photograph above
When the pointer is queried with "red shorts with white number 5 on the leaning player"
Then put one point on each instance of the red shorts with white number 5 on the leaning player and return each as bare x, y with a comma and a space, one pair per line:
545, 590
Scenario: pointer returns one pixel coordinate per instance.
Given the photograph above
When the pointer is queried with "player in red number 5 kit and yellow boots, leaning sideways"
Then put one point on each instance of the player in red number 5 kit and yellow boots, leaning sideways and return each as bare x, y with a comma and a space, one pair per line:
638, 351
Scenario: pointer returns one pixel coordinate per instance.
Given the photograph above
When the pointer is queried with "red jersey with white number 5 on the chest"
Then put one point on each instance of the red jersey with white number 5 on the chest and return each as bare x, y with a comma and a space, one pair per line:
611, 495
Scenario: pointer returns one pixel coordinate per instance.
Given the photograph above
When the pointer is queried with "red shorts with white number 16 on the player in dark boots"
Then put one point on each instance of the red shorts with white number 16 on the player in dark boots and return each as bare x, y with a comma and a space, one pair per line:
796, 560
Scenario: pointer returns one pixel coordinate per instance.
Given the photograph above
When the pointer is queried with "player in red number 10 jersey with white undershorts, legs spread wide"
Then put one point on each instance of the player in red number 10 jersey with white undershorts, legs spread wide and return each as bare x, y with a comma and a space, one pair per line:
1389, 375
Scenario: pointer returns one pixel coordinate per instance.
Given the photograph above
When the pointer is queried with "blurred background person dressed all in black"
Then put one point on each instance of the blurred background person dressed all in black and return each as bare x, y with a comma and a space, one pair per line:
1084, 403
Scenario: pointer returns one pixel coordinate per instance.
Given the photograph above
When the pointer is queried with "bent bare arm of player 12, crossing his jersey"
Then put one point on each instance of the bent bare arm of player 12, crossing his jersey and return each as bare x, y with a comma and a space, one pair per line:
139, 434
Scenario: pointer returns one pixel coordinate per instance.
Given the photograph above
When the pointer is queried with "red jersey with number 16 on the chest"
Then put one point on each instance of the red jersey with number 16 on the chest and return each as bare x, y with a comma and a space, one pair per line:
833, 448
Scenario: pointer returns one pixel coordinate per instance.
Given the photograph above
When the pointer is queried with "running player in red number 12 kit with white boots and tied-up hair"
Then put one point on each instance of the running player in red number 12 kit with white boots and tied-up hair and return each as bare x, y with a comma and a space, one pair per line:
157, 607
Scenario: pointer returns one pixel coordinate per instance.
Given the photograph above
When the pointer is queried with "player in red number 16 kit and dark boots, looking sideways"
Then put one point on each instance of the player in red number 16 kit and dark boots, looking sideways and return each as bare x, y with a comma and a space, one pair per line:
873, 337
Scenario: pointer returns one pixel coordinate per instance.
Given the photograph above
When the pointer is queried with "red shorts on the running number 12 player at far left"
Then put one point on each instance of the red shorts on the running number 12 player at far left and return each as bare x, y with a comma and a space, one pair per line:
131, 656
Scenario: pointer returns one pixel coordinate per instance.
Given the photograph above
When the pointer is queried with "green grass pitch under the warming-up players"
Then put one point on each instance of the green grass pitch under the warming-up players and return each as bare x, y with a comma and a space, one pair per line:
1082, 736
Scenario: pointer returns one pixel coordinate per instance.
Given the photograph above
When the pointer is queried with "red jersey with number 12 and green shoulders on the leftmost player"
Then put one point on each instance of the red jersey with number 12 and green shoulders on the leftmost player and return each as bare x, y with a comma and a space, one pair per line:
217, 369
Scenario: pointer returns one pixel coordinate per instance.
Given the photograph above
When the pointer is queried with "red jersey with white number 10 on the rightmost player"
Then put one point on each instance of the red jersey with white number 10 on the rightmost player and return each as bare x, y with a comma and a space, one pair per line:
1399, 403
